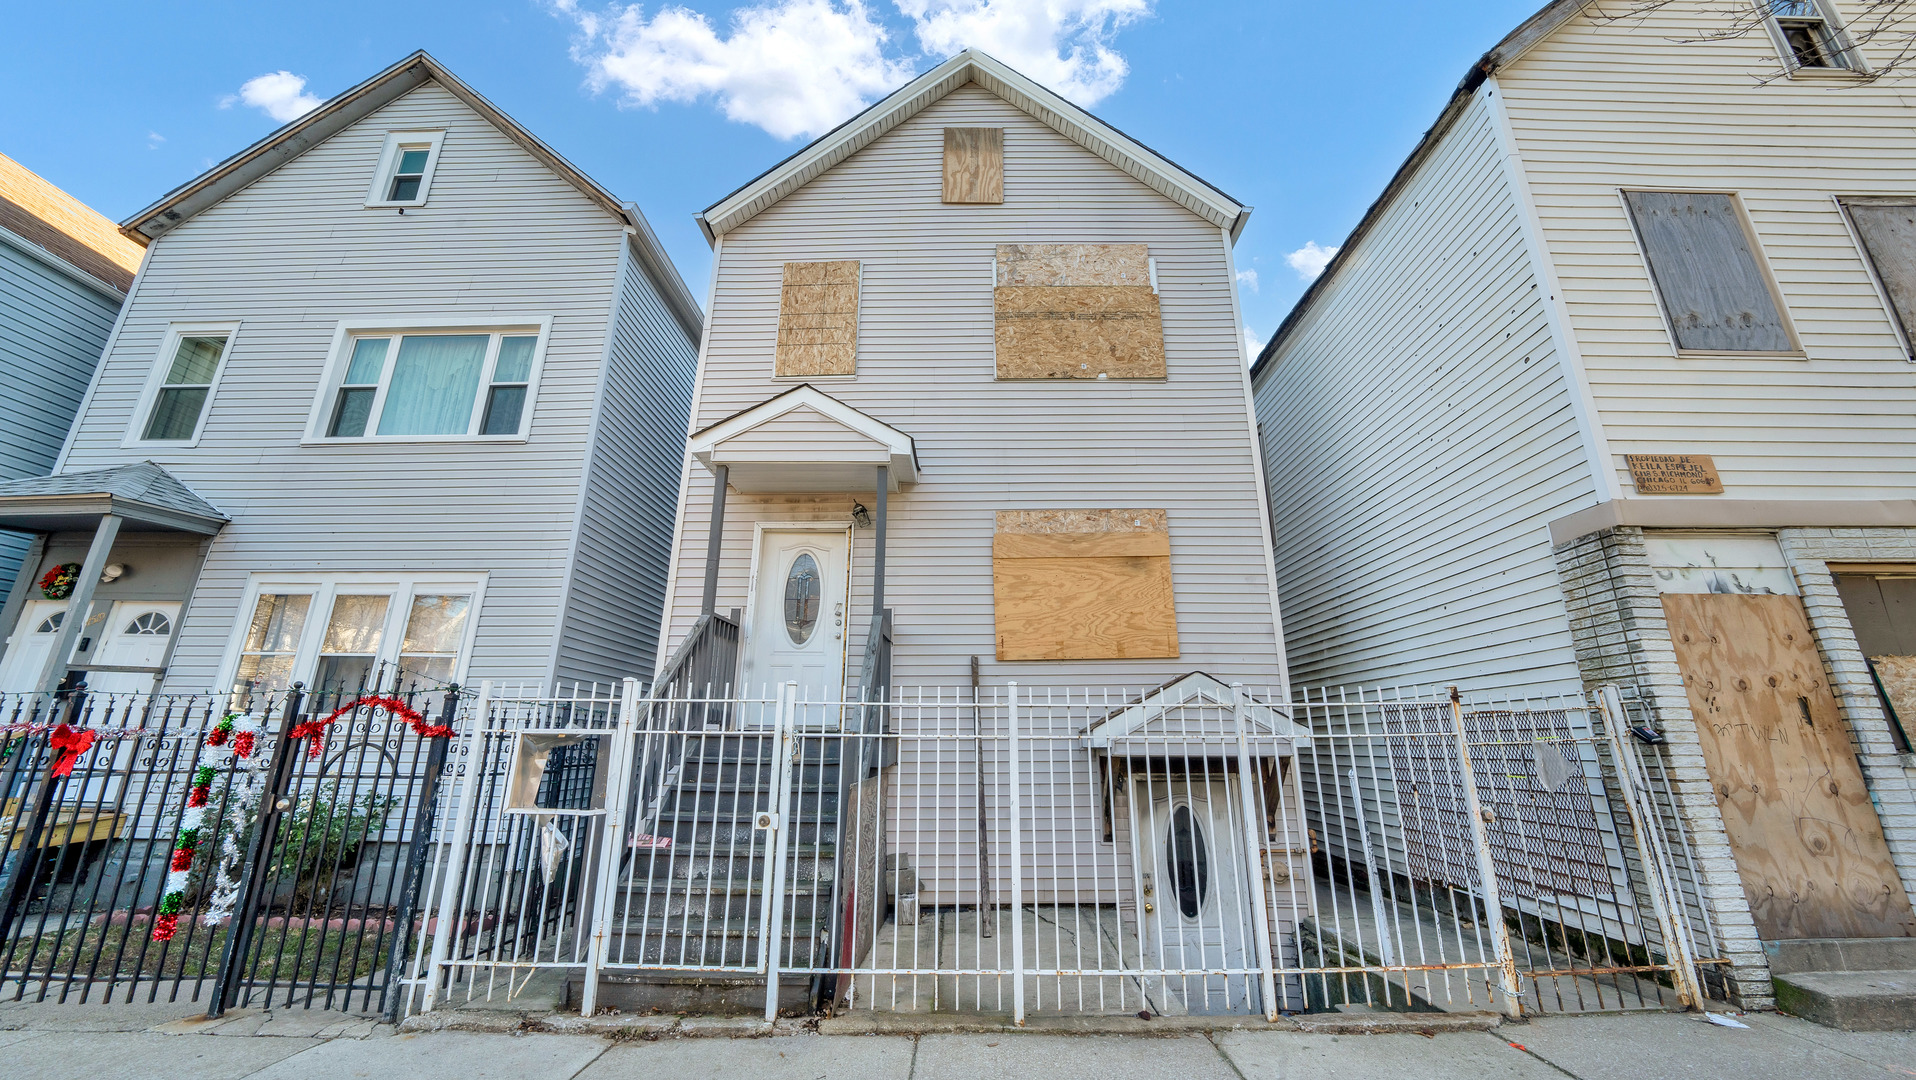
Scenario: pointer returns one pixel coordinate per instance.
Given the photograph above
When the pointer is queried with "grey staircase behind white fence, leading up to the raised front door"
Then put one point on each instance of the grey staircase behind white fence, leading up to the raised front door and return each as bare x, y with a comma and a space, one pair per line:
700, 903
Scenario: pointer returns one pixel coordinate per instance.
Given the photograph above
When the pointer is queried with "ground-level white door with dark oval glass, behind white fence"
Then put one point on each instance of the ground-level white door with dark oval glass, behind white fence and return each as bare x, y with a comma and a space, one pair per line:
1197, 914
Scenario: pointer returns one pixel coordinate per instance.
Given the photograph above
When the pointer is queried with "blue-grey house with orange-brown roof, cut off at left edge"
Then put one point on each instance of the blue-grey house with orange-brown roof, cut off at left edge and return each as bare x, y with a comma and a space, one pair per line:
64, 275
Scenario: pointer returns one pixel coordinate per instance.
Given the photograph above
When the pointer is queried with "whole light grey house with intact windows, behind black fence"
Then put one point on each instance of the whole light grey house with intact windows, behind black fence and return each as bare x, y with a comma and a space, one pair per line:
398, 395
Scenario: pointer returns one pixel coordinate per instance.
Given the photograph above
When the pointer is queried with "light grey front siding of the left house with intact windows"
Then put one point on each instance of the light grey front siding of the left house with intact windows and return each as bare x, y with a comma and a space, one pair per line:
296, 256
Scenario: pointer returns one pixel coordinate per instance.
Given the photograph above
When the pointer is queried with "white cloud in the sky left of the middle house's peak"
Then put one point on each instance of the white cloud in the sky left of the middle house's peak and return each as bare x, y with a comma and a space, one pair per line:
794, 68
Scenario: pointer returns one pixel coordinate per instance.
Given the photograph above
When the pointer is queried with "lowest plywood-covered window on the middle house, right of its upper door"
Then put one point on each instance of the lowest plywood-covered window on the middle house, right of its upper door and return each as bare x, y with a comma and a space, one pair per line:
1083, 585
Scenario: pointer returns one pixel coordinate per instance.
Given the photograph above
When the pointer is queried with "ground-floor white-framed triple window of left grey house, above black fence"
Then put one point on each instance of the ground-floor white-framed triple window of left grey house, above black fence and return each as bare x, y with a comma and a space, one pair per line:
350, 635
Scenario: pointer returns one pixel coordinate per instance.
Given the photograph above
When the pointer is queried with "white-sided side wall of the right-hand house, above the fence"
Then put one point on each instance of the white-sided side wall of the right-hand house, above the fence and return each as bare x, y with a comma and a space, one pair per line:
1419, 436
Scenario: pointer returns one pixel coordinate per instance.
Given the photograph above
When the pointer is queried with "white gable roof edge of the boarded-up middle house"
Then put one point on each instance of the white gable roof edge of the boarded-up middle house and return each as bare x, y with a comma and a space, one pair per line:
992, 74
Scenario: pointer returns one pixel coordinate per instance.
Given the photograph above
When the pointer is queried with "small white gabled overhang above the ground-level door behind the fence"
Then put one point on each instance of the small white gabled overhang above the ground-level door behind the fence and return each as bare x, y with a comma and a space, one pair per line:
1195, 717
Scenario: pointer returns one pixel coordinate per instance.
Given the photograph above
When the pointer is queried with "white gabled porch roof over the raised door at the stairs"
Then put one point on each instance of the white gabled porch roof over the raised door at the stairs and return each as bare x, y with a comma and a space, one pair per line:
806, 443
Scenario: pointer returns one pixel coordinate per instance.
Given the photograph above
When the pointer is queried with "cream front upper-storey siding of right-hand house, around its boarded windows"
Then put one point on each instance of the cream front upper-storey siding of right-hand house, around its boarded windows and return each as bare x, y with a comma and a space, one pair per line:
1641, 104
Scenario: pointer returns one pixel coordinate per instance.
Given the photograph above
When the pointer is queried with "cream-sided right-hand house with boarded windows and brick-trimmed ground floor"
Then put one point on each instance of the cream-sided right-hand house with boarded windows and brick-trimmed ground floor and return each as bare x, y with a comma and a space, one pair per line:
1614, 386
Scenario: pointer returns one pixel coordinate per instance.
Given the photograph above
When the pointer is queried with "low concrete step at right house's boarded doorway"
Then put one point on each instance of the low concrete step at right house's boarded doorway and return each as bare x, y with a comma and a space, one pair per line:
1859, 985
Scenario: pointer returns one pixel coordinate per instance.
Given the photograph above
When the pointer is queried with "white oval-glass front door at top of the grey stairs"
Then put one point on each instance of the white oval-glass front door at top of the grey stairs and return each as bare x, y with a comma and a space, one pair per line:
798, 612
